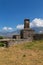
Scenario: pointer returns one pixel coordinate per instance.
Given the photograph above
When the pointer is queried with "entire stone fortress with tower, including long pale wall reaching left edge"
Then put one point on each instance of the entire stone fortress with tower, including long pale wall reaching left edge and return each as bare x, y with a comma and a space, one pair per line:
26, 35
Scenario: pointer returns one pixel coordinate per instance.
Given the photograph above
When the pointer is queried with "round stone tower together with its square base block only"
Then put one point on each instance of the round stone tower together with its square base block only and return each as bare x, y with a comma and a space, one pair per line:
27, 32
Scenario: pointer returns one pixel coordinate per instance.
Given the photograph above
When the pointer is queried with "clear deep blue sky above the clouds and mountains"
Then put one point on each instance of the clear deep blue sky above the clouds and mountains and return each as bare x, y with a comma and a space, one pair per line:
13, 12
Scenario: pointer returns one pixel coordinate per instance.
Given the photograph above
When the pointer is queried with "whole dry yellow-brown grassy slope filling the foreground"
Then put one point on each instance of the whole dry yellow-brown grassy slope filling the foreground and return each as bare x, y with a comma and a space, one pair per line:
22, 54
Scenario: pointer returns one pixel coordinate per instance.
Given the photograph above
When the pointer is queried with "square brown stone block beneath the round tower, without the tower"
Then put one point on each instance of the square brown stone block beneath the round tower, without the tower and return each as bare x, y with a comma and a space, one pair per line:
27, 33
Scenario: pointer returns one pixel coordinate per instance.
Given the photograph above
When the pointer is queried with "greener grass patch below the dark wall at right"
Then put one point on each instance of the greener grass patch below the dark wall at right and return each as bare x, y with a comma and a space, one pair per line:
38, 45
